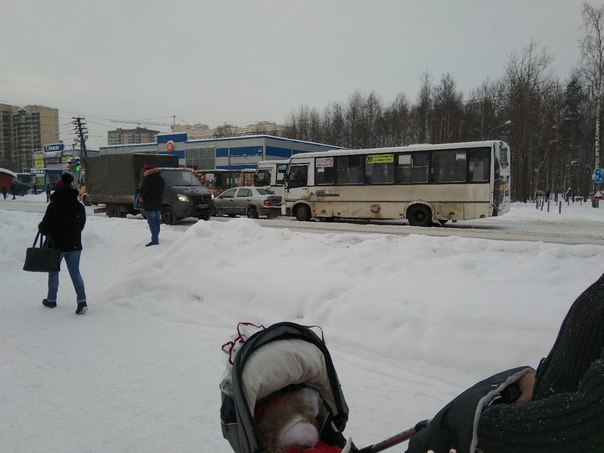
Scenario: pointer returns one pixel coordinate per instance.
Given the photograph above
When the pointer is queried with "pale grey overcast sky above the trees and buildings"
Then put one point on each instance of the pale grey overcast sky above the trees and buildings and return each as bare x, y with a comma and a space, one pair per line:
242, 61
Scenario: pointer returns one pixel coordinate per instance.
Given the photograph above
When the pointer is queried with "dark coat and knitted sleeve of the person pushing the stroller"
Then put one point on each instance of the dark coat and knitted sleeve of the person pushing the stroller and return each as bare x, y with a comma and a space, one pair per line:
567, 411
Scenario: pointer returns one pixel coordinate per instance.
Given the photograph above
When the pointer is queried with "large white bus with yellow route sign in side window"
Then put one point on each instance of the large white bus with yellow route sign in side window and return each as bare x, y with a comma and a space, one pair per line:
420, 183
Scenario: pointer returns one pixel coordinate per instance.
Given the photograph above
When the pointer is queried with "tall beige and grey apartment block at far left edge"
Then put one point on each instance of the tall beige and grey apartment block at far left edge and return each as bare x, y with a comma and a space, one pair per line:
23, 132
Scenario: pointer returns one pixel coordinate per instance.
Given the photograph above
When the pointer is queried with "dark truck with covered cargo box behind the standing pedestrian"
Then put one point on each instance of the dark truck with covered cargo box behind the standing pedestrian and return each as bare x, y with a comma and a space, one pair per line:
113, 180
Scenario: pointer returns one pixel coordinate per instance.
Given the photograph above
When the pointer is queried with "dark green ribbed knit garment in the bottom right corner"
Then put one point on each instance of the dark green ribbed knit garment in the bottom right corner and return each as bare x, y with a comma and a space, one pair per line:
567, 412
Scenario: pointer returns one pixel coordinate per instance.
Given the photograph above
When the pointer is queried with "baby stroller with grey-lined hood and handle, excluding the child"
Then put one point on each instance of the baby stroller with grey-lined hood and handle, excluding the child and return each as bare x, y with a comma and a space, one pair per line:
282, 358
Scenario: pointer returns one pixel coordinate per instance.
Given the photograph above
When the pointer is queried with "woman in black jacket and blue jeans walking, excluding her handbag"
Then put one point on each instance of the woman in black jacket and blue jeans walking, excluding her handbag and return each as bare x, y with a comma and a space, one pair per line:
63, 222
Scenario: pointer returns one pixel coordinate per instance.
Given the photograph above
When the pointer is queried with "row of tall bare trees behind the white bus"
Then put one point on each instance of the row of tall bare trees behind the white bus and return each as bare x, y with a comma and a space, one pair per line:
552, 126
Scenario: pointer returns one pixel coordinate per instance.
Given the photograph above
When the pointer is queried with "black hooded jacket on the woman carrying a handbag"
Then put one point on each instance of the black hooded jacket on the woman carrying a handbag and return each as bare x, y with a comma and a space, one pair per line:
64, 220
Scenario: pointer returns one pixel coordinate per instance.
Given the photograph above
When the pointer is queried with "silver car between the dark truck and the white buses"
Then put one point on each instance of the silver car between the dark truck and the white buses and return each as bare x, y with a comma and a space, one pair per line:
250, 201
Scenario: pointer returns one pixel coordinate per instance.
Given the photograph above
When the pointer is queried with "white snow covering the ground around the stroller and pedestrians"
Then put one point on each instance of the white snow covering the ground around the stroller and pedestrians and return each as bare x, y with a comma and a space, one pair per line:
410, 322
